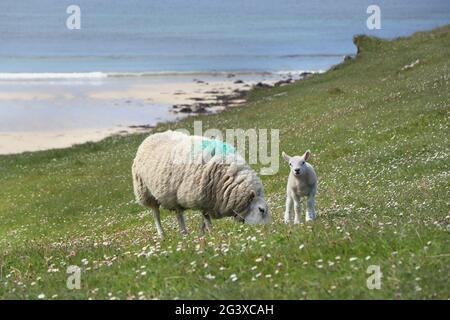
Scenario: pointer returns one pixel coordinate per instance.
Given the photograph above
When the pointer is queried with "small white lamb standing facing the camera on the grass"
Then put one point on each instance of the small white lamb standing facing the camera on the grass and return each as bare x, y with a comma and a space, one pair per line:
302, 182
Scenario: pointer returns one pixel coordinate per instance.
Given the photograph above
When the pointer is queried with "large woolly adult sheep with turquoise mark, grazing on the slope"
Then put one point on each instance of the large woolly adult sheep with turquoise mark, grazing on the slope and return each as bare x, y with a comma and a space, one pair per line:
181, 172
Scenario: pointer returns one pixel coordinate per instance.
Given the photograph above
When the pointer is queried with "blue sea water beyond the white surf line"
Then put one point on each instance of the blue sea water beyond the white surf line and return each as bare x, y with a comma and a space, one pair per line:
167, 36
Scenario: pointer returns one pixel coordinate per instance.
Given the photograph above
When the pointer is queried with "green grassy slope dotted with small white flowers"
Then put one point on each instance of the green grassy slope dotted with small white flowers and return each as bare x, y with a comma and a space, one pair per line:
380, 143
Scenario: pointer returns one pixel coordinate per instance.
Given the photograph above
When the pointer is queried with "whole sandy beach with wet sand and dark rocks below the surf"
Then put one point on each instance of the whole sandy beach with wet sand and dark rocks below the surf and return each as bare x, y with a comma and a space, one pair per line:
73, 114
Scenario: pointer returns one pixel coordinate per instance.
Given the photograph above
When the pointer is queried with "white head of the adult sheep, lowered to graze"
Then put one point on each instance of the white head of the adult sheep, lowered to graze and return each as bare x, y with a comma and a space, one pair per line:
256, 212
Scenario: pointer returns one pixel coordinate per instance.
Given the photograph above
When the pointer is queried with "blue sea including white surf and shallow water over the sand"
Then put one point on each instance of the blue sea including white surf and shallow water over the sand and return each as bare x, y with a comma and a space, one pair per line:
119, 41
